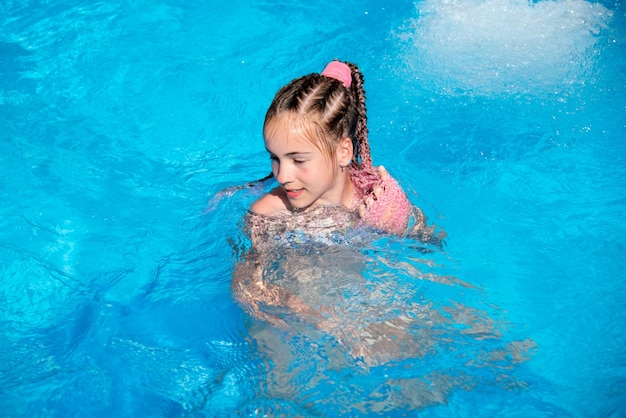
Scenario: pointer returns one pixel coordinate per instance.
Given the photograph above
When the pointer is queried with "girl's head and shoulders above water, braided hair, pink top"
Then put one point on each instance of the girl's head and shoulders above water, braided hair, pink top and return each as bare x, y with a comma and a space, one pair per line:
316, 134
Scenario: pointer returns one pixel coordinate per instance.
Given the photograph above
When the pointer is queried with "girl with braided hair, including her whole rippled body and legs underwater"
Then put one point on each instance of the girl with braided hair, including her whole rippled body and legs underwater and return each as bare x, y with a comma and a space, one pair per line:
335, 306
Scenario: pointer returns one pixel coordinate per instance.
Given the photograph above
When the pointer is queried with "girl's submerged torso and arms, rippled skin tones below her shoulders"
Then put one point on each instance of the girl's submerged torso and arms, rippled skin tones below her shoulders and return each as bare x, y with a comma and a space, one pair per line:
310, 270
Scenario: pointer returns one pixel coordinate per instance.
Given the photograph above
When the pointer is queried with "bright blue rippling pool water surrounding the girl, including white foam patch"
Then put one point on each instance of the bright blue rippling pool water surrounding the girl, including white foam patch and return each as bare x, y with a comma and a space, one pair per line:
120, 122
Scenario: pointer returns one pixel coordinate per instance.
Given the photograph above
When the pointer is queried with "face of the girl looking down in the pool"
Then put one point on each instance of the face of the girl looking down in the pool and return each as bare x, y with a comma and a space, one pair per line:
307, 176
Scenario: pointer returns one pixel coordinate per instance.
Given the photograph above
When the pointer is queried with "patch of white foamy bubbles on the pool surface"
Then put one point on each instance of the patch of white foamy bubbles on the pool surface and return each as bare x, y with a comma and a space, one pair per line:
510, 46
